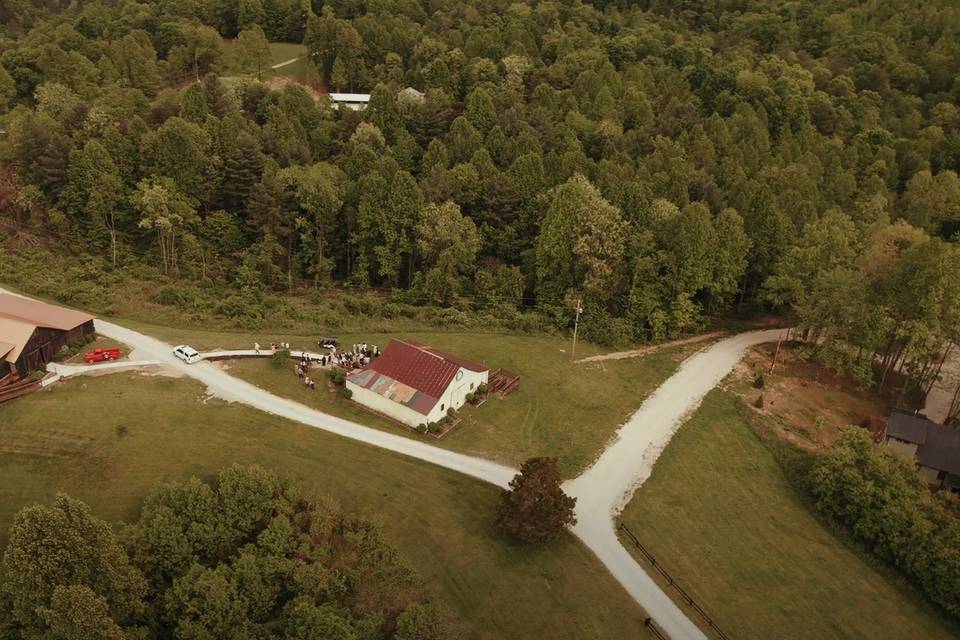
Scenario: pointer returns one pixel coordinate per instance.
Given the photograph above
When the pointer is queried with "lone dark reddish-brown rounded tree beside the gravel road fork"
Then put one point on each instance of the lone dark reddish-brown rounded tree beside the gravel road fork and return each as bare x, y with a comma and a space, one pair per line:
536, 509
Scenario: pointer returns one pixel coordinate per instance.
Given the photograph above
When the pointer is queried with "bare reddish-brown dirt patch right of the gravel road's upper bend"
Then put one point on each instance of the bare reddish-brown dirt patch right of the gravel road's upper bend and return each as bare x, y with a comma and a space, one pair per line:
808, 403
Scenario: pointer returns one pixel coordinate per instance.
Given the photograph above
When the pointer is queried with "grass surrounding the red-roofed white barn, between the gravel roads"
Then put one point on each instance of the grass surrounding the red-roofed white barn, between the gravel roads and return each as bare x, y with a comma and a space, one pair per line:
562, 409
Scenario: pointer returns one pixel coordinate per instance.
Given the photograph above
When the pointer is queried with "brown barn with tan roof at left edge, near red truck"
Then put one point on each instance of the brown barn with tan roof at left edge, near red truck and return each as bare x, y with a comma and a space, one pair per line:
32, 332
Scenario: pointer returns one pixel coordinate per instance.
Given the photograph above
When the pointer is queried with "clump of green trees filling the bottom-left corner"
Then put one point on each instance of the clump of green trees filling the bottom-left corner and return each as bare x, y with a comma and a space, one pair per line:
247, 558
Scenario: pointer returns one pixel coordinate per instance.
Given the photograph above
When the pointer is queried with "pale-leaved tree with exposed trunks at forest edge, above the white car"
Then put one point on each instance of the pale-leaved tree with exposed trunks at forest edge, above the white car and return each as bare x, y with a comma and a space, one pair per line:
164, 210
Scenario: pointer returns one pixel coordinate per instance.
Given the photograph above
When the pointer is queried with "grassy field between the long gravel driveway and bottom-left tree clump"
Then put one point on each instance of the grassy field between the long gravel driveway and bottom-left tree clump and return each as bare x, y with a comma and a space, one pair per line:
66, 439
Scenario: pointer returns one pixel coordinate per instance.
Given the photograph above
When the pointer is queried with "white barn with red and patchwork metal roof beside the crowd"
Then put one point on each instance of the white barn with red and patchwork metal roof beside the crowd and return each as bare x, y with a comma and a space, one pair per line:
414, 383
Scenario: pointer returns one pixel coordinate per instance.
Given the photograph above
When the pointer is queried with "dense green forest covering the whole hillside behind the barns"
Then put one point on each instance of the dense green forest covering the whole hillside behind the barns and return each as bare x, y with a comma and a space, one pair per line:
667, 162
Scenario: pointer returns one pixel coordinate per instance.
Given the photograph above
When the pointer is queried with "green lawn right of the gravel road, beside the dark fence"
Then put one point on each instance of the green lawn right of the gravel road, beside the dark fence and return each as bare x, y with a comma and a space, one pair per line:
720, 515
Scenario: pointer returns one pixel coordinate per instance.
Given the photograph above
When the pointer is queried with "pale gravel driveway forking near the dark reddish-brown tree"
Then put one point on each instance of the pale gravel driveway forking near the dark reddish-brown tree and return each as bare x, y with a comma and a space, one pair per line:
602, 491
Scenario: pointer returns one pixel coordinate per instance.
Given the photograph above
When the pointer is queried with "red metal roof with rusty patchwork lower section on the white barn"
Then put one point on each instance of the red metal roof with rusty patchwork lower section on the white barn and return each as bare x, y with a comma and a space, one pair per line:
412, 374
